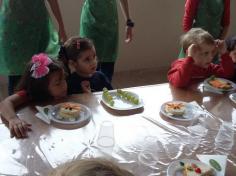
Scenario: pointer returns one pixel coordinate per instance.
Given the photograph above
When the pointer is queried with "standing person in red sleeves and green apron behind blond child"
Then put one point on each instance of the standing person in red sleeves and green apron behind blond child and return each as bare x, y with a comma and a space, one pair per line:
210, 15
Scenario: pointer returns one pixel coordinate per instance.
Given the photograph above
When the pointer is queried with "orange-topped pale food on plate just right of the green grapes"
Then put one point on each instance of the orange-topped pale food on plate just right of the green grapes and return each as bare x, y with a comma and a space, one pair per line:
175, 108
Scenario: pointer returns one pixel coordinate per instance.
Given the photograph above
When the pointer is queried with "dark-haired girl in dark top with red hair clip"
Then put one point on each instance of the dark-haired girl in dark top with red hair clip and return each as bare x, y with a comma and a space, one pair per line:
79, 56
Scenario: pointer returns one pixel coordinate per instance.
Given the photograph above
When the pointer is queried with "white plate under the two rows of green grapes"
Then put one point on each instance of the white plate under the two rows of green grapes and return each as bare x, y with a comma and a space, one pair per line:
122, 104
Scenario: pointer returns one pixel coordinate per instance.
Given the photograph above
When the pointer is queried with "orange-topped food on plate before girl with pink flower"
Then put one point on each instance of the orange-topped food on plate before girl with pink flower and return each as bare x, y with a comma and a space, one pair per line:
69, 110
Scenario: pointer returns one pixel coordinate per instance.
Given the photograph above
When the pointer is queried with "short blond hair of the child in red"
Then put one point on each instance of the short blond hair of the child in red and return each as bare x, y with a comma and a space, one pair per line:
196, 36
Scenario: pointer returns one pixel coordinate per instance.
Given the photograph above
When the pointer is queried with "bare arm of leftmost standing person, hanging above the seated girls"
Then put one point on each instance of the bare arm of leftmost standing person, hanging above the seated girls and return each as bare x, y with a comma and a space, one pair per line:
56, 11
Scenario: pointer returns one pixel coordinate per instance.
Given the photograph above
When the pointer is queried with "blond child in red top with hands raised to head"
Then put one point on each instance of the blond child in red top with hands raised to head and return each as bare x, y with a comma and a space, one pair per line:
200, 49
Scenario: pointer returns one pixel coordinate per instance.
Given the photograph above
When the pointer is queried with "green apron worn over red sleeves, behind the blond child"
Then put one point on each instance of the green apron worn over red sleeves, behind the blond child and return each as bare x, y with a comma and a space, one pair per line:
209, 17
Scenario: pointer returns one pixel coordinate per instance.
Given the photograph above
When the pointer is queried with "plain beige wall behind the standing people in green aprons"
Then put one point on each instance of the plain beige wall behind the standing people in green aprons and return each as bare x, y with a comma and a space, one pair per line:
156, 33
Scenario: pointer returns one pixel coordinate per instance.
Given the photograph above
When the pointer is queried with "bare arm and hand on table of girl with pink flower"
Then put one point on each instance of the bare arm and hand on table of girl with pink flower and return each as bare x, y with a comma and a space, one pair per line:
17, 127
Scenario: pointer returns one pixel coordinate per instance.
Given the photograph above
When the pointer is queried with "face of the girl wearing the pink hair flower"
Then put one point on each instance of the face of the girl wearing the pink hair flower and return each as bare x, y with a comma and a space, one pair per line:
57, 85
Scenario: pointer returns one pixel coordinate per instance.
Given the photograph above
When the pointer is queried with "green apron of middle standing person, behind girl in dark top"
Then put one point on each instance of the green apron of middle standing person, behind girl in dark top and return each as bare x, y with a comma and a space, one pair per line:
99, 22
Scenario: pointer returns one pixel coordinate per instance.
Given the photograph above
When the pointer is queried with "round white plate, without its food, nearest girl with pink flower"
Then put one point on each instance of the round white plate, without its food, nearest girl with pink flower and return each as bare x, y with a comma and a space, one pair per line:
84, 116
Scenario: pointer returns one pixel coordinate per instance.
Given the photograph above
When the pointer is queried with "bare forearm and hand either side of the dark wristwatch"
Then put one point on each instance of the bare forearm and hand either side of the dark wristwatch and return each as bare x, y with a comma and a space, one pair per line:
129, 30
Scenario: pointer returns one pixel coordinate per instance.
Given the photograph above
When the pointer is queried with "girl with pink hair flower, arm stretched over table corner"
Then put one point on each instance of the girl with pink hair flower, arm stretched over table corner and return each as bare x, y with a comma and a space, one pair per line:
43, 80
